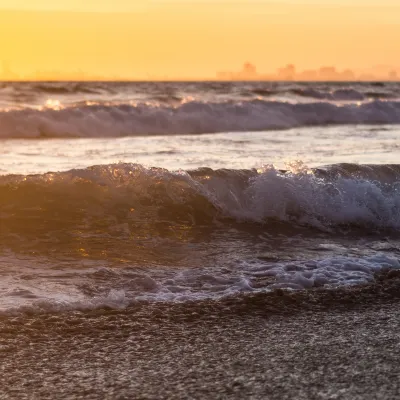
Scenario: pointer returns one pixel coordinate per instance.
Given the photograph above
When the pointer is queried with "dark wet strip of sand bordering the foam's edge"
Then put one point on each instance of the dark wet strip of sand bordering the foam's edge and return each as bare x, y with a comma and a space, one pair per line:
384, 289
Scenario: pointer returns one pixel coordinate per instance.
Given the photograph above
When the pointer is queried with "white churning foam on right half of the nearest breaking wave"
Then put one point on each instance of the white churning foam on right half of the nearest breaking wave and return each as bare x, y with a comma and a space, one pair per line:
304, 197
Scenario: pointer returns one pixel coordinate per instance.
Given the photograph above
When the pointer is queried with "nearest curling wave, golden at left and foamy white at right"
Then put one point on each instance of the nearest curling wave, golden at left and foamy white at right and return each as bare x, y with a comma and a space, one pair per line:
127, 199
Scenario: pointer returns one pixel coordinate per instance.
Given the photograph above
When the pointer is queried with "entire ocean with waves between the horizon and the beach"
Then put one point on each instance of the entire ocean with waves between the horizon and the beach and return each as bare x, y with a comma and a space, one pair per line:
115, 195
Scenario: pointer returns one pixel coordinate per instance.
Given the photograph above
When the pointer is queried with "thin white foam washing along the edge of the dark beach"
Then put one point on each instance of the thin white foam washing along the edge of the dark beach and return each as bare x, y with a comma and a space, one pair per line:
193, 284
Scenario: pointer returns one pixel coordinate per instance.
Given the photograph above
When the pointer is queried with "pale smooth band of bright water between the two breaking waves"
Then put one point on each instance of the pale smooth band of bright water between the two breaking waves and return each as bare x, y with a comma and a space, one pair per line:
314, 146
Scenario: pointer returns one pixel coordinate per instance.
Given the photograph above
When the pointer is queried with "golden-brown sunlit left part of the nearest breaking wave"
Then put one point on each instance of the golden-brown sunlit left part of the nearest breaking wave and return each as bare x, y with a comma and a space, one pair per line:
122, 216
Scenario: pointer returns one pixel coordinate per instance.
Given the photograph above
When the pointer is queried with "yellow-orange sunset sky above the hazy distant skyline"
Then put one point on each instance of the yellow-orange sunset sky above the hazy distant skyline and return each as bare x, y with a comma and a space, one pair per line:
194, 39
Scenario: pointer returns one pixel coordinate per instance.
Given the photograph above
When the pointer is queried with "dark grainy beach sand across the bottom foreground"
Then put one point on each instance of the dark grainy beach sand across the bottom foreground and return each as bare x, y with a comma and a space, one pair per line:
342, 344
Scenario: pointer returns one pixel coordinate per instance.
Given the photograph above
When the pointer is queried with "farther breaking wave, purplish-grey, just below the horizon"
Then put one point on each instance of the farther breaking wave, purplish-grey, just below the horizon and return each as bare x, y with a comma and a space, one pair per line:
195, 117
